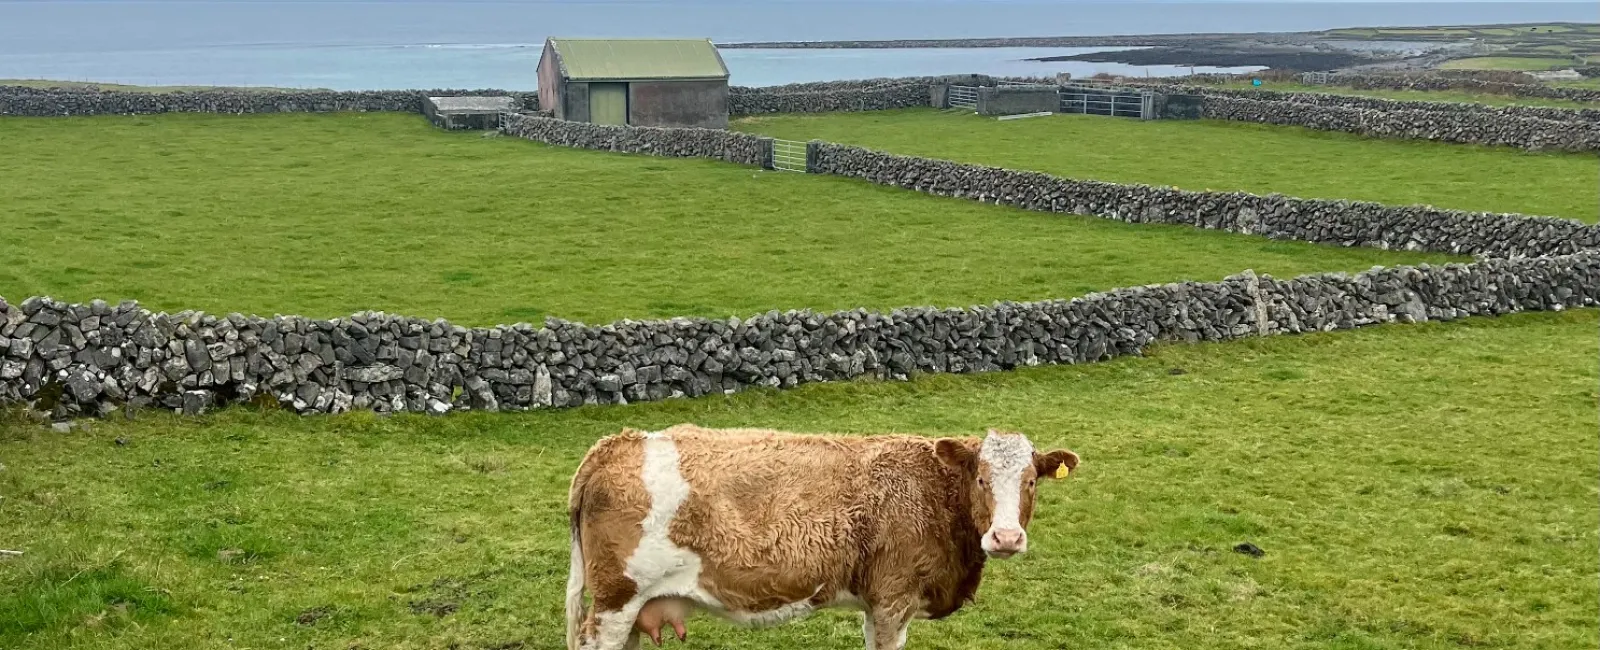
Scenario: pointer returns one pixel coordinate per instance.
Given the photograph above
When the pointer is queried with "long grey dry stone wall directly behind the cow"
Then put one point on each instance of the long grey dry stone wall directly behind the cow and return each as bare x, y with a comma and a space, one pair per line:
92, 359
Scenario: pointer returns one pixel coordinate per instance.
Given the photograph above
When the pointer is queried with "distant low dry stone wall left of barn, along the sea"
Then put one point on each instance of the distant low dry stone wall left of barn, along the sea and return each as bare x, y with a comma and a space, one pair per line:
54, 103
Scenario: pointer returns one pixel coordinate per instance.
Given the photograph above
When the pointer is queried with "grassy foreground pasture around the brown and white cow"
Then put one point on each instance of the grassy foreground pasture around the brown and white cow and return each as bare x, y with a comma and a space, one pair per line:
1414, 487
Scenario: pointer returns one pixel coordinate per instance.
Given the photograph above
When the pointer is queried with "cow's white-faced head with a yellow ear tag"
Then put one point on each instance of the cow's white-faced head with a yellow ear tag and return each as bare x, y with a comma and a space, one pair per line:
1002, 475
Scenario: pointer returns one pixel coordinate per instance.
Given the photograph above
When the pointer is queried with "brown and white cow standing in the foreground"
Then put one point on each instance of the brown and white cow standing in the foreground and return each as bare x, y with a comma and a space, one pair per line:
762, 528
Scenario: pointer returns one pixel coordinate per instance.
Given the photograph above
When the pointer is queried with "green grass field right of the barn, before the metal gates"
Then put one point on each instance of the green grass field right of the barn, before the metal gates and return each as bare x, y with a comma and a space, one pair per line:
1225, 156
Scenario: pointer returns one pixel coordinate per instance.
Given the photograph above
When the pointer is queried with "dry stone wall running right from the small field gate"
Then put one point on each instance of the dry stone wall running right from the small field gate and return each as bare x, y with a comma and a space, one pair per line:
1308, 220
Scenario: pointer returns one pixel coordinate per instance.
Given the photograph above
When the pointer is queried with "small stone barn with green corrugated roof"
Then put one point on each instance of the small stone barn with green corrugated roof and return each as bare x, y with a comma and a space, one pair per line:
639, 82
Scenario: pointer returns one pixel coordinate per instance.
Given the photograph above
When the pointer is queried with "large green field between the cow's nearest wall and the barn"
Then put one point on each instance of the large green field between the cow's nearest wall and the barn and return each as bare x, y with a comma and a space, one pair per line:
329, 215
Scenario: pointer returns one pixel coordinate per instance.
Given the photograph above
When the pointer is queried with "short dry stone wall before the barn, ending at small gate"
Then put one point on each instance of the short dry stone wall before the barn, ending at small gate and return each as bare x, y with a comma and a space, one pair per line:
681, 143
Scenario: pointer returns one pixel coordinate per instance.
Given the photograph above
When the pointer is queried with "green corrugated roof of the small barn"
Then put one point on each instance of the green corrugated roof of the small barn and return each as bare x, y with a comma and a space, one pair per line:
639, 58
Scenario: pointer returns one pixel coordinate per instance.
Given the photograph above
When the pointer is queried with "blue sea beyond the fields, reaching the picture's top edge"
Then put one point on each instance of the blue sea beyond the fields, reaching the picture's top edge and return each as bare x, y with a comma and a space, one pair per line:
495, 44
